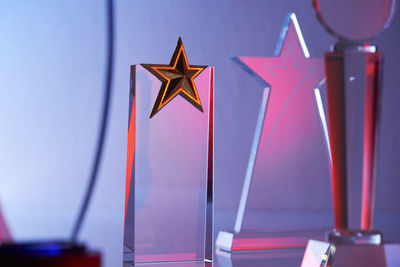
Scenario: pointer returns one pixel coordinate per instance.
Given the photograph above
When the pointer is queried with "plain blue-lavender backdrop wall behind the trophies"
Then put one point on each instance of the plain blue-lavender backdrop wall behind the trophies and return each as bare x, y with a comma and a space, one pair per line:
52, 65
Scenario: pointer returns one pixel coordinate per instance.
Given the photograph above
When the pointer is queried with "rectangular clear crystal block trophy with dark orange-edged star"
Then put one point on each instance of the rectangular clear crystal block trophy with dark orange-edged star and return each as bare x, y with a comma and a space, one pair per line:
169, 178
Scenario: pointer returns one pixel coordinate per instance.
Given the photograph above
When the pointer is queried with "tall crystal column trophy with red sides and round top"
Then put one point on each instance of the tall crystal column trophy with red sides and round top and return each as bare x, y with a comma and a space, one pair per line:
353, 88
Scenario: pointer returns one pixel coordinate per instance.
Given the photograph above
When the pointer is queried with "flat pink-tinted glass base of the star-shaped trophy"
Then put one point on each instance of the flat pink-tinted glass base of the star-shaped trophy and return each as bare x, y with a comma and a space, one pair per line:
263, 240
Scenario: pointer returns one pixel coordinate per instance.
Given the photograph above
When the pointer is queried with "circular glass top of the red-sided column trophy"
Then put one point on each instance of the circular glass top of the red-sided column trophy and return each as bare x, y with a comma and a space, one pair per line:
355, 20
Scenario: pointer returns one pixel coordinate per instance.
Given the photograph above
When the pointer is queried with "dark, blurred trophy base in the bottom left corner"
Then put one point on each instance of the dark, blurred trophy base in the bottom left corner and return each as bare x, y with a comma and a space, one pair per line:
47, 253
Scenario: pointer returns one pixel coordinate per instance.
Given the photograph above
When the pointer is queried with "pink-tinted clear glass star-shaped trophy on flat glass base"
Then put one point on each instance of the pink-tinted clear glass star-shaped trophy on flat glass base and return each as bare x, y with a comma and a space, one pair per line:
288, 156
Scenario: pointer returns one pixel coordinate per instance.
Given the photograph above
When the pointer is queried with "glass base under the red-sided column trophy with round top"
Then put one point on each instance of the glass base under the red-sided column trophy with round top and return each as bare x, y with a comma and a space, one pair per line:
351, 254
